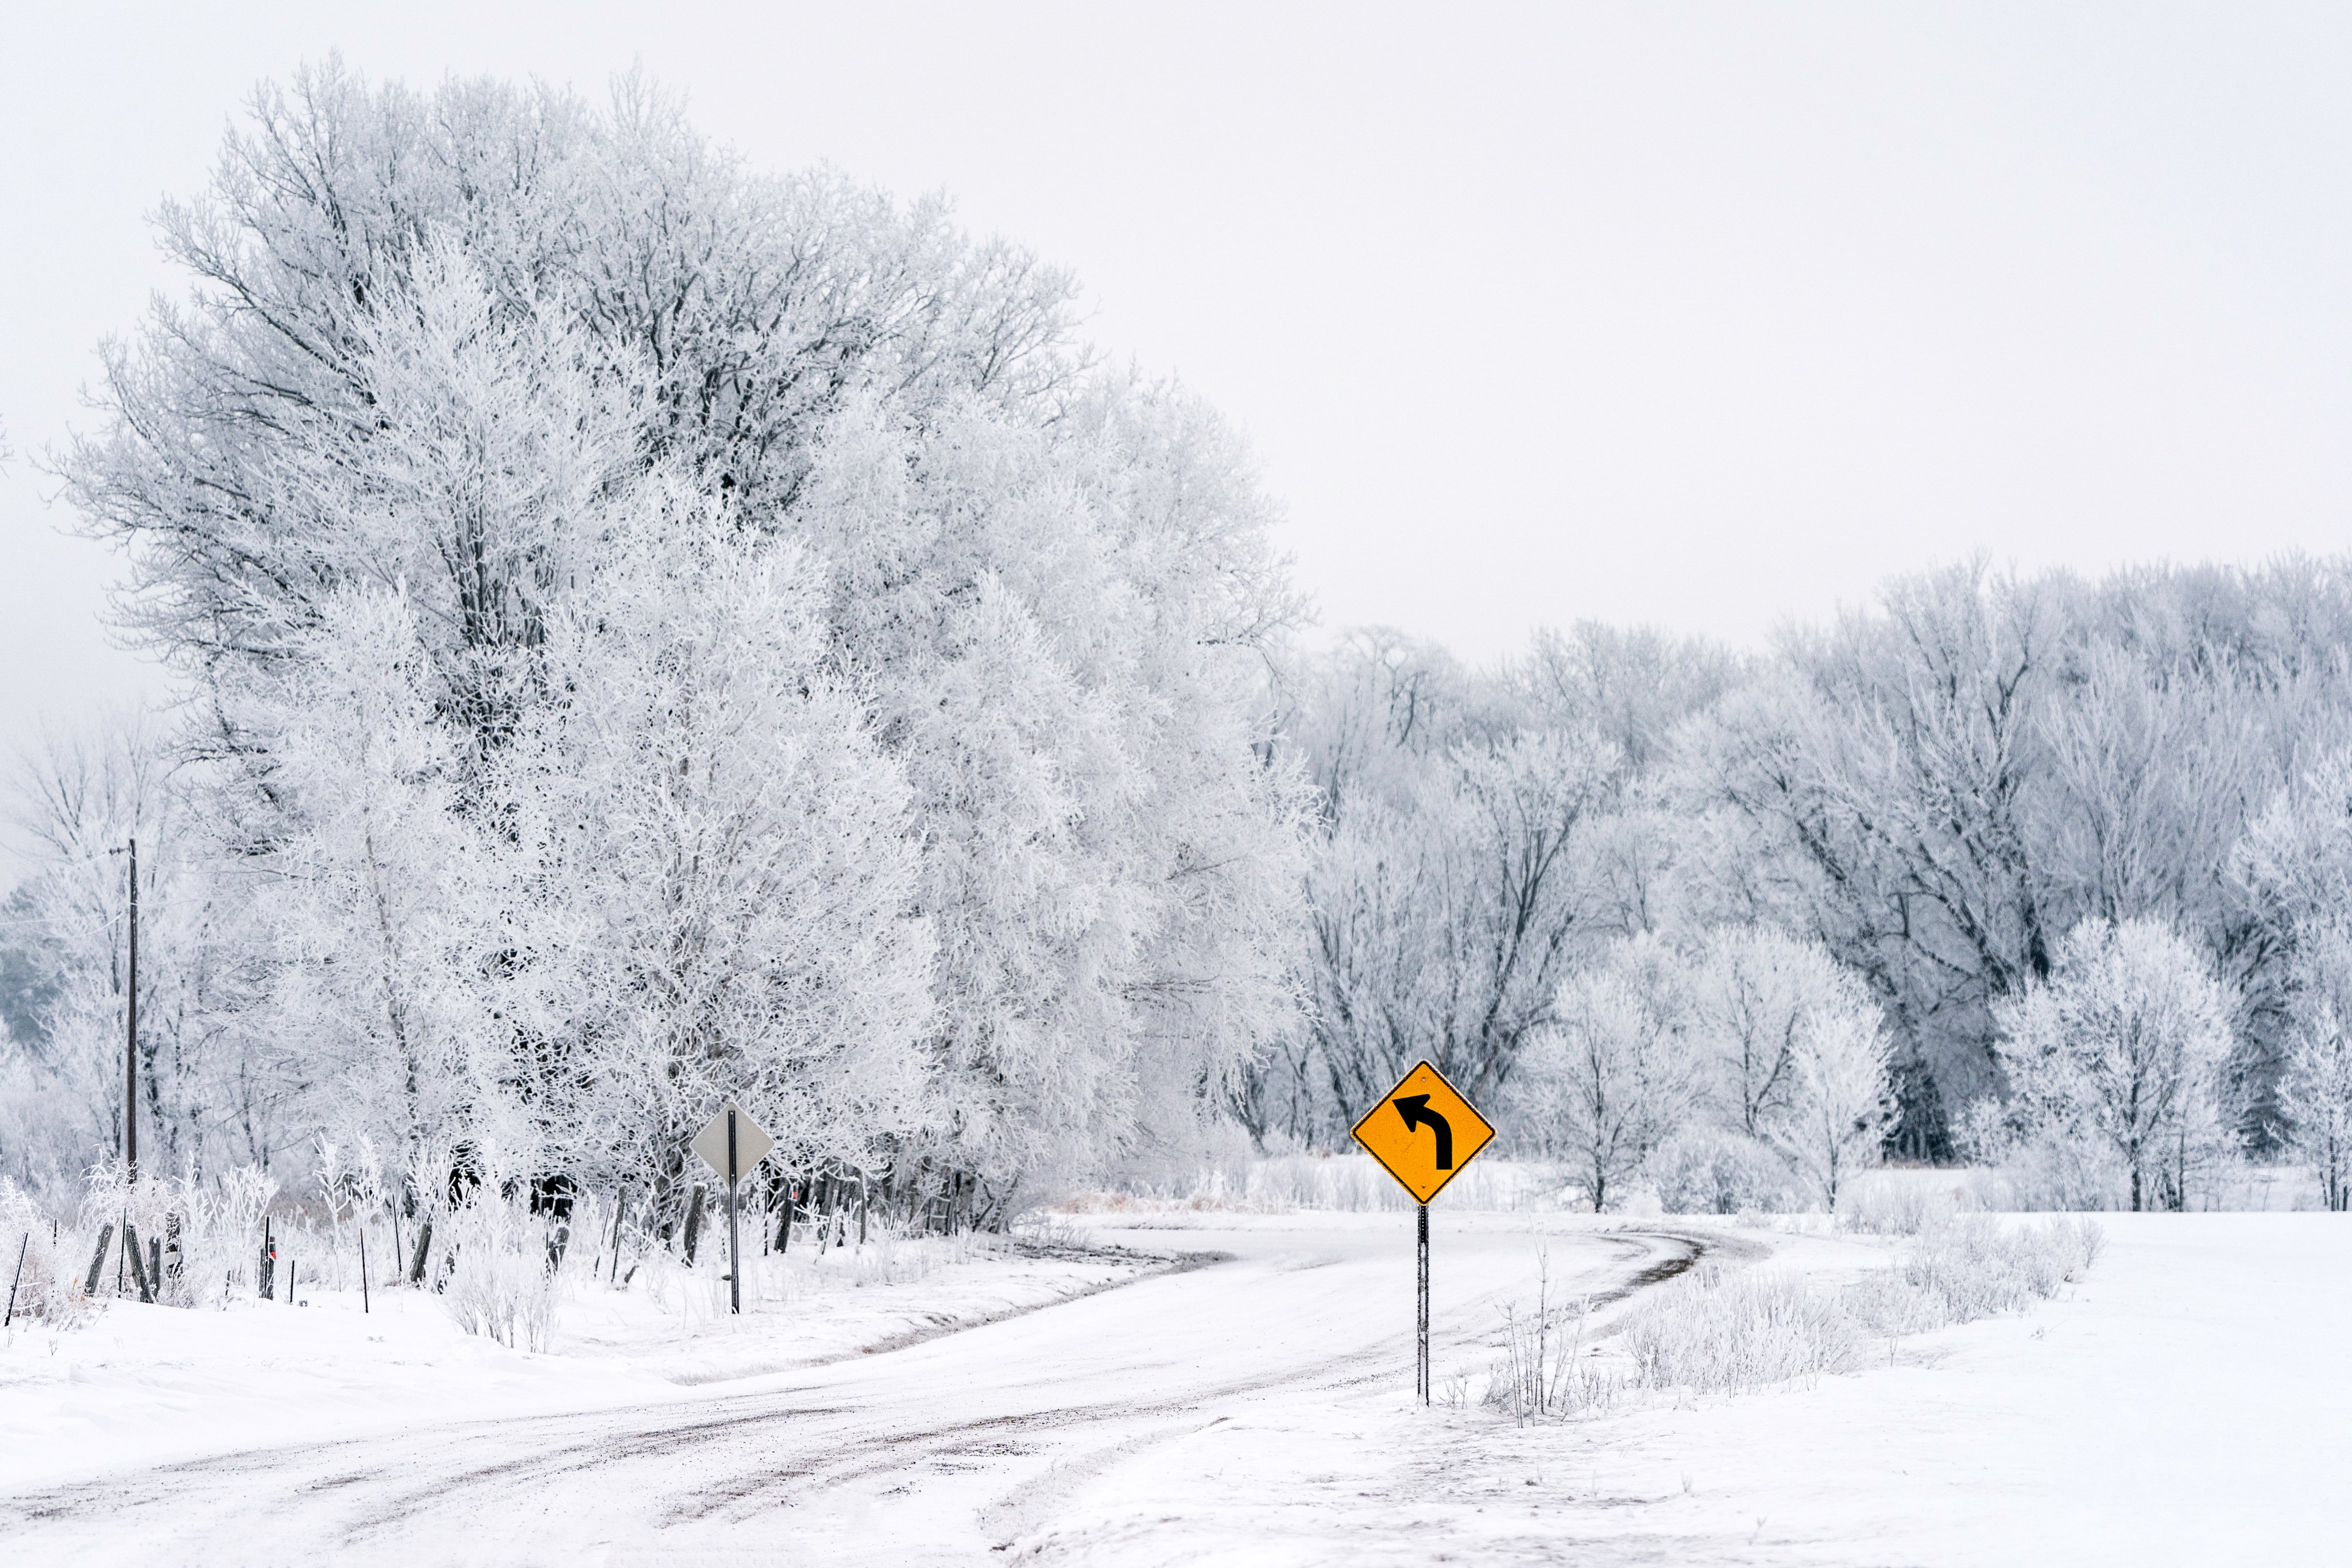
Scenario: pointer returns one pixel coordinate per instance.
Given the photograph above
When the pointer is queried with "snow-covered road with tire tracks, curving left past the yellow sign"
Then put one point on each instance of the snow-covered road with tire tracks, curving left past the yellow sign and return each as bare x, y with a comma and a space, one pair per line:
958, 1449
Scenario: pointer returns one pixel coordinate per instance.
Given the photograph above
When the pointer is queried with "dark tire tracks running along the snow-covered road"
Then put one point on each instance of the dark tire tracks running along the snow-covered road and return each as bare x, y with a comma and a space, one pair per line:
711, 1461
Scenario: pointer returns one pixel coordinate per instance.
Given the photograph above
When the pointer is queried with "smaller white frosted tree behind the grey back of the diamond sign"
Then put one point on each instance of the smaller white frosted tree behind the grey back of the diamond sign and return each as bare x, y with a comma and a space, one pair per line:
728, 883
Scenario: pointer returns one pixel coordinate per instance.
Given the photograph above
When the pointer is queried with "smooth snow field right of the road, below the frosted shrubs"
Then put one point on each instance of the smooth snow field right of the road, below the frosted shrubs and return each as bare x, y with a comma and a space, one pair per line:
2186, 1405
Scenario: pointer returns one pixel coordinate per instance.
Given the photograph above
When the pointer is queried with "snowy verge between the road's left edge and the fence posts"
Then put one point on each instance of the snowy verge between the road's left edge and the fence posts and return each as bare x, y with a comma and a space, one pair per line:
145, 1386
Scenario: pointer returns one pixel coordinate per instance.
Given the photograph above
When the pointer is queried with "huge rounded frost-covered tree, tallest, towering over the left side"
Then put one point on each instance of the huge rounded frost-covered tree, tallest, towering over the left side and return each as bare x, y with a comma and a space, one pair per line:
443, 351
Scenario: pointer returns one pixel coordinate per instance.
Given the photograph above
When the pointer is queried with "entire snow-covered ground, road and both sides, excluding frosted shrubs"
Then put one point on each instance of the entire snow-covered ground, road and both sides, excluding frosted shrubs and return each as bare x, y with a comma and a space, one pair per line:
2184, 1405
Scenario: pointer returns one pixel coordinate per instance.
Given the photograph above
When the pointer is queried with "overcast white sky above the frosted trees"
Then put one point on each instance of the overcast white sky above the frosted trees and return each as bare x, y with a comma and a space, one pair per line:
1697, 316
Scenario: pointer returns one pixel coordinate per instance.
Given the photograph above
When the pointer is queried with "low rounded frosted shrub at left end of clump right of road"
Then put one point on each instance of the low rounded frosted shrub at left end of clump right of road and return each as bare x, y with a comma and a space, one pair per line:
1730, 1332
